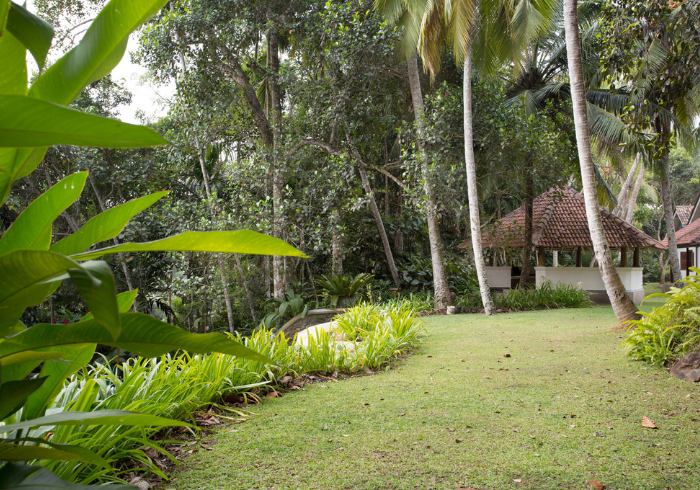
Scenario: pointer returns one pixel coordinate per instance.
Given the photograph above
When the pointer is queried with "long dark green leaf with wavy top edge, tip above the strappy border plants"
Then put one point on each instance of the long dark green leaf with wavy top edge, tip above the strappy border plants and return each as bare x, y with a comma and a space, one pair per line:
141, 334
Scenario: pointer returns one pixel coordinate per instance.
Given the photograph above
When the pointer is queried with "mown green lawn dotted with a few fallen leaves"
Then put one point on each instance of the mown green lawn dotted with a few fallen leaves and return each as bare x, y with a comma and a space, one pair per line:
564, 408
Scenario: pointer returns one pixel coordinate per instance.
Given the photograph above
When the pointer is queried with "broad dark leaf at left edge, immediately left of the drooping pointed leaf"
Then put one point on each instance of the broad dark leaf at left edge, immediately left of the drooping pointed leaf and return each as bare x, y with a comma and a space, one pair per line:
23, 281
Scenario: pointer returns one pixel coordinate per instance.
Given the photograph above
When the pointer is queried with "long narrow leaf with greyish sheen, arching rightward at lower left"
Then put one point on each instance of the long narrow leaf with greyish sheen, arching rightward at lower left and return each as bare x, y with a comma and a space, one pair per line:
98, 417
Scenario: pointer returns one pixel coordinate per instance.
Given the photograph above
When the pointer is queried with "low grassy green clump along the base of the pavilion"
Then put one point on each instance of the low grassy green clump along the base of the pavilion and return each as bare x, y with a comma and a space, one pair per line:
546, 297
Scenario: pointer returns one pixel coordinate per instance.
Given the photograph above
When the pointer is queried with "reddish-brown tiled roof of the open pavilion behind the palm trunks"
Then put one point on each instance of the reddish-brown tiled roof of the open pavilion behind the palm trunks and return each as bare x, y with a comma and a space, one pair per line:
559, 222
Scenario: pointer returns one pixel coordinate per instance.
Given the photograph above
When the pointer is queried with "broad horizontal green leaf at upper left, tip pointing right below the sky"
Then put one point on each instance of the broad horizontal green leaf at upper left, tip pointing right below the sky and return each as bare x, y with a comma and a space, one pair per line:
27, 123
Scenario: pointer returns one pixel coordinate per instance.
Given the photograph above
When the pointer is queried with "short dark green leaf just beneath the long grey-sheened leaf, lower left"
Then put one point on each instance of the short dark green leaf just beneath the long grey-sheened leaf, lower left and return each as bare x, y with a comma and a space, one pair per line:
11, 451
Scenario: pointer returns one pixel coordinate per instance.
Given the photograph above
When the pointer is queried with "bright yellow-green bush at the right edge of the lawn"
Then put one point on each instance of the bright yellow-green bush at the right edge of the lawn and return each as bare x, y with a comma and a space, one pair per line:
670, 331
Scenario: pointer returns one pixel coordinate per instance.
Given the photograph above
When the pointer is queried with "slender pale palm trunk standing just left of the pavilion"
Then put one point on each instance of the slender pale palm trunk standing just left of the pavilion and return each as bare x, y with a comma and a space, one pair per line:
474, 219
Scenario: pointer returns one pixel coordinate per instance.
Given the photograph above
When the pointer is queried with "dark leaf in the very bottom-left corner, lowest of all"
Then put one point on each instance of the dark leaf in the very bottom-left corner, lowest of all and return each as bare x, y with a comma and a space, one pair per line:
25, 477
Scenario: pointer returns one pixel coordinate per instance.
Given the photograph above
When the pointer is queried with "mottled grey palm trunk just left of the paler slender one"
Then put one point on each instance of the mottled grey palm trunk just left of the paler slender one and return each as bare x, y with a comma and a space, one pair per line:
440, 286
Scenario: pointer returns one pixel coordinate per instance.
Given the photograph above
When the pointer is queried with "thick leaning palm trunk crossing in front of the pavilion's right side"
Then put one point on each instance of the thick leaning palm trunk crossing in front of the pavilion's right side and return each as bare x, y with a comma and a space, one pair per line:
624, 308
